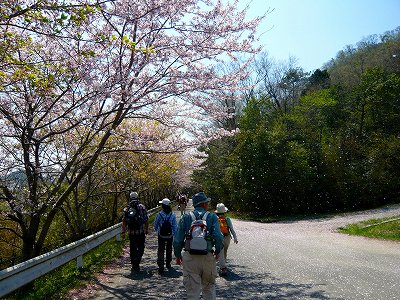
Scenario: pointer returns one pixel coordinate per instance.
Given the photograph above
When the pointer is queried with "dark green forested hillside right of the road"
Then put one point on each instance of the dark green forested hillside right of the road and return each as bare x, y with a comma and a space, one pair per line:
326, 141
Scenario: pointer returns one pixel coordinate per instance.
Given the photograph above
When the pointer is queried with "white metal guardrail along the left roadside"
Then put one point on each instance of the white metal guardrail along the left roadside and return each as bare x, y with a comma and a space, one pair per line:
17, 276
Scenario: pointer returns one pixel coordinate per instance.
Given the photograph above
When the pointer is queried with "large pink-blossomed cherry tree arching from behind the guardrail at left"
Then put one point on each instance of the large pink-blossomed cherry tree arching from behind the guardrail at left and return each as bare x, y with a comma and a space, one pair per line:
72, 72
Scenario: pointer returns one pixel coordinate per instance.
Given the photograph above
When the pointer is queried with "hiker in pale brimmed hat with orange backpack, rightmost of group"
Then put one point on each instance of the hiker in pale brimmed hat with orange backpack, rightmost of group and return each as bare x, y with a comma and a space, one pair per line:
227, 230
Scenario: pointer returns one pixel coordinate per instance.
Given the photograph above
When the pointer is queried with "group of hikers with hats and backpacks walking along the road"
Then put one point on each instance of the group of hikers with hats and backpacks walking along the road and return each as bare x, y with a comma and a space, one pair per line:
199, 240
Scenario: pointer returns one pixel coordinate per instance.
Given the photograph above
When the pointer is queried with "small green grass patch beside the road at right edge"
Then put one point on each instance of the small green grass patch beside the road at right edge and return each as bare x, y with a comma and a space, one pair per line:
375, 228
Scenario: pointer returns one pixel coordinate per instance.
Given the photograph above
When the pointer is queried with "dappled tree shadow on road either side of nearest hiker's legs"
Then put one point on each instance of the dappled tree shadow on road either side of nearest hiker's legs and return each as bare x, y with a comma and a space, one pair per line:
241, 283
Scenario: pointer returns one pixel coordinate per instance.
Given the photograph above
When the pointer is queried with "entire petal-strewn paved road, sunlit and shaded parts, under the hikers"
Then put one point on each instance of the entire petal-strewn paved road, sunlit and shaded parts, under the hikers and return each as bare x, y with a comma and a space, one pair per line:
287, 260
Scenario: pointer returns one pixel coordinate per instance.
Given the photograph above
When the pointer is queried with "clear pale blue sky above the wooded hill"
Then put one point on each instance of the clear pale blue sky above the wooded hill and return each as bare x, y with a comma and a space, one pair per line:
315, 30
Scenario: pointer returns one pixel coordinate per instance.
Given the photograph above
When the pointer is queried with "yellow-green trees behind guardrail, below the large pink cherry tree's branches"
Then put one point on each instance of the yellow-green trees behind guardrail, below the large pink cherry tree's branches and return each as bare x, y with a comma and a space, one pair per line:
149, 165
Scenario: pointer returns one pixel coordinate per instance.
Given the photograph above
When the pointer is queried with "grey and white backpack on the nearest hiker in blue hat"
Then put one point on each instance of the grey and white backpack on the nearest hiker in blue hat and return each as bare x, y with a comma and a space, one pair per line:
196, 238
